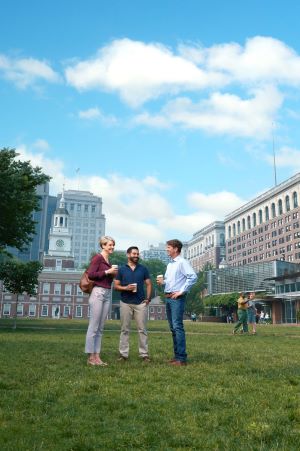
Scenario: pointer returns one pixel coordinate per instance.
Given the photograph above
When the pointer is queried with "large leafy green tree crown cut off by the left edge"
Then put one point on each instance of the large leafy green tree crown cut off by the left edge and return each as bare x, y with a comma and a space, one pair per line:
18, 199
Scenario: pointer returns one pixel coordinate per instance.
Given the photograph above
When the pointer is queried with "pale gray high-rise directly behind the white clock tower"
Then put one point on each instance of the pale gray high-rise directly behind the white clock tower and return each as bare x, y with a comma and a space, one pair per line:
86, 223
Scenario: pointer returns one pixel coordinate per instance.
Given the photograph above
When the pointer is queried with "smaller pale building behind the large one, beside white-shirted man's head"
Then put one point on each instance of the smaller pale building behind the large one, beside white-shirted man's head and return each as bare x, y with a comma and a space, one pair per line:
207, 246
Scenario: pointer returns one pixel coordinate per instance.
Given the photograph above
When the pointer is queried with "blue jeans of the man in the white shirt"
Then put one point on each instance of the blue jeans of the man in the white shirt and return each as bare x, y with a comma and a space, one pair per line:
175, 310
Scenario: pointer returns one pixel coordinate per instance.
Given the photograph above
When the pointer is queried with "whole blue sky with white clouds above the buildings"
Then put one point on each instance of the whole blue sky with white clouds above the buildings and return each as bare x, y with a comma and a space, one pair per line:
169, 108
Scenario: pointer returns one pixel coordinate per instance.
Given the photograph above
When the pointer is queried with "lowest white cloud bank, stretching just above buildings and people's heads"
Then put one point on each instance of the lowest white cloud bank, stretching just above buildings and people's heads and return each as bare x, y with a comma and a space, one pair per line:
137, 211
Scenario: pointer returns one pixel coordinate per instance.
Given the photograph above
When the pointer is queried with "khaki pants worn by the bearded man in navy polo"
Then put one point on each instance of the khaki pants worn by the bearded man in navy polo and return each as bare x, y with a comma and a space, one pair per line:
139, 313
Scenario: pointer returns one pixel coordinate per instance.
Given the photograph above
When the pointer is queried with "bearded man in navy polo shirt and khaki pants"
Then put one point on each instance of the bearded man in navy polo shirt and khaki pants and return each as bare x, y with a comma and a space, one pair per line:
130, 281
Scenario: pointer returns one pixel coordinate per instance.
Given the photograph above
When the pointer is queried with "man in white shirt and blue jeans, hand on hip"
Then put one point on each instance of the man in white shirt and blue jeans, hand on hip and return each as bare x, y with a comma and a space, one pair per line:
178, 280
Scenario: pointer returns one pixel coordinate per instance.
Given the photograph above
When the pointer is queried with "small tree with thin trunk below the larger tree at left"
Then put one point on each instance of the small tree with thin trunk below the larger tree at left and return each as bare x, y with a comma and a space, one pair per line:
18, 278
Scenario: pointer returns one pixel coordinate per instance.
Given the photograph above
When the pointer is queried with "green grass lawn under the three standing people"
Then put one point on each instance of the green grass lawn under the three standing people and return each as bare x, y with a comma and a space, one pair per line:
237, 393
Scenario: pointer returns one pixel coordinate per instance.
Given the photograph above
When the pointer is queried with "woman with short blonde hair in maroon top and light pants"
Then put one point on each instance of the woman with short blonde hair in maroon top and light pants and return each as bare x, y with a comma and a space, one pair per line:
102, 273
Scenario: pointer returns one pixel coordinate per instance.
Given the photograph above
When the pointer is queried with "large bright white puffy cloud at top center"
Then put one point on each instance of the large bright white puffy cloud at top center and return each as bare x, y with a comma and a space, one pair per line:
139, 72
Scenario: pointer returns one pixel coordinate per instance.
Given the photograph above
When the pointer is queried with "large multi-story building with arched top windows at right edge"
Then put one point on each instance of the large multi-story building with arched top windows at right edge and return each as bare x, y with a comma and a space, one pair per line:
266, 228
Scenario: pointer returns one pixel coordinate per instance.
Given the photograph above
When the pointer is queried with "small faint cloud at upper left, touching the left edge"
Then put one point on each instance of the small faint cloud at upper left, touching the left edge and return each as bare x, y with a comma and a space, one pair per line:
24, 72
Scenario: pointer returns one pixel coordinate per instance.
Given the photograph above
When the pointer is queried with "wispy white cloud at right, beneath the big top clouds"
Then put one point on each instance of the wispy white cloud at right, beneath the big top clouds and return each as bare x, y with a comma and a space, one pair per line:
221, 114
